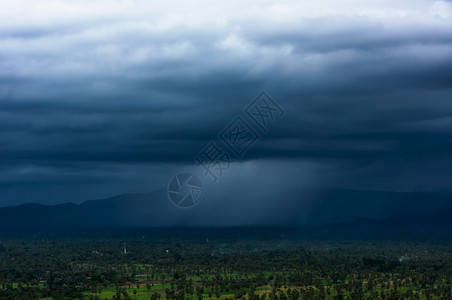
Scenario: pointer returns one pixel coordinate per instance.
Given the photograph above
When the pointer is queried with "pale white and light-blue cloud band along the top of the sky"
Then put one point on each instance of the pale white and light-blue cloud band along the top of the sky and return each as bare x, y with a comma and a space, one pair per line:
96, 39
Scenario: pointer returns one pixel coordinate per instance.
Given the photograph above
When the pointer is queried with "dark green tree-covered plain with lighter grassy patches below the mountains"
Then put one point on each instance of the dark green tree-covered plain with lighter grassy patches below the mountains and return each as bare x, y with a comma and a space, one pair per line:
215, 267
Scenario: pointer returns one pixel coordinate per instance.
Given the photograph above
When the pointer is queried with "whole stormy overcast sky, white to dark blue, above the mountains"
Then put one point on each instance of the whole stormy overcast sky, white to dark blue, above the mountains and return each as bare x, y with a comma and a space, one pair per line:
105, 97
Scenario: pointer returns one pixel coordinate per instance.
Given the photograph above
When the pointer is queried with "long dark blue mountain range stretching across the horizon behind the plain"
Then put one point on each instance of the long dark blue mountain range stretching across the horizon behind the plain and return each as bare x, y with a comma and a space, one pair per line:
320, 211
